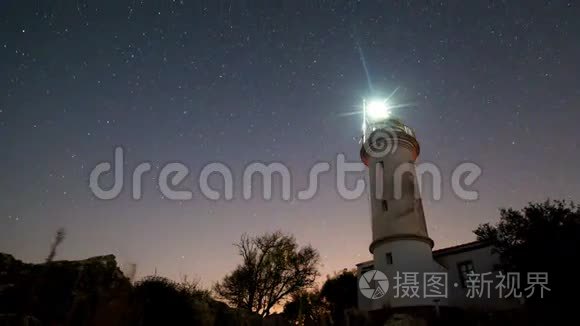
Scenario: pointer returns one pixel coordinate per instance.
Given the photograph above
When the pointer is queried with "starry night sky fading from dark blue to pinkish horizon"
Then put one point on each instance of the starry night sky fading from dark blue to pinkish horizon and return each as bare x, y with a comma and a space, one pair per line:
495, 83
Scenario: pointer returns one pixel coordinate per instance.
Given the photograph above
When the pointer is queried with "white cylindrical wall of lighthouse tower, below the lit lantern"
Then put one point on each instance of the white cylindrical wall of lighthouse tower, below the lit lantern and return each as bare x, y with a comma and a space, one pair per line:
399, 228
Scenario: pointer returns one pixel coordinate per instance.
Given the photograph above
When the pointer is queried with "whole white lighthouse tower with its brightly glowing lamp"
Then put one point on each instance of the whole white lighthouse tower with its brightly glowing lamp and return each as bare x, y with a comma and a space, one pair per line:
400, 246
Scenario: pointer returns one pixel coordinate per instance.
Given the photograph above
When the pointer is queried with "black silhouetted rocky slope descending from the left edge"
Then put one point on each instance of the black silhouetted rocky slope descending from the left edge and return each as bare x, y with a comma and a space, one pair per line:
95, 292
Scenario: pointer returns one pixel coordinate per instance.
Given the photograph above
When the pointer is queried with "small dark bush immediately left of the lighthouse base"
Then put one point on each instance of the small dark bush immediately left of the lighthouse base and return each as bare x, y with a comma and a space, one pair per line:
340, 293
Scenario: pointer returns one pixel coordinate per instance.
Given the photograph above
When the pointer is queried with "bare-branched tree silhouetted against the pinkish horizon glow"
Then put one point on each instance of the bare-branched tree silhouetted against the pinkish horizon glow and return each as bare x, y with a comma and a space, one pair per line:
273, 267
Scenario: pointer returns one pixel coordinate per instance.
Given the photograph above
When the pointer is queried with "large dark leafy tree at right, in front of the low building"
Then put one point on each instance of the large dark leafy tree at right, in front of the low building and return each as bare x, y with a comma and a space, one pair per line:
542, 237
